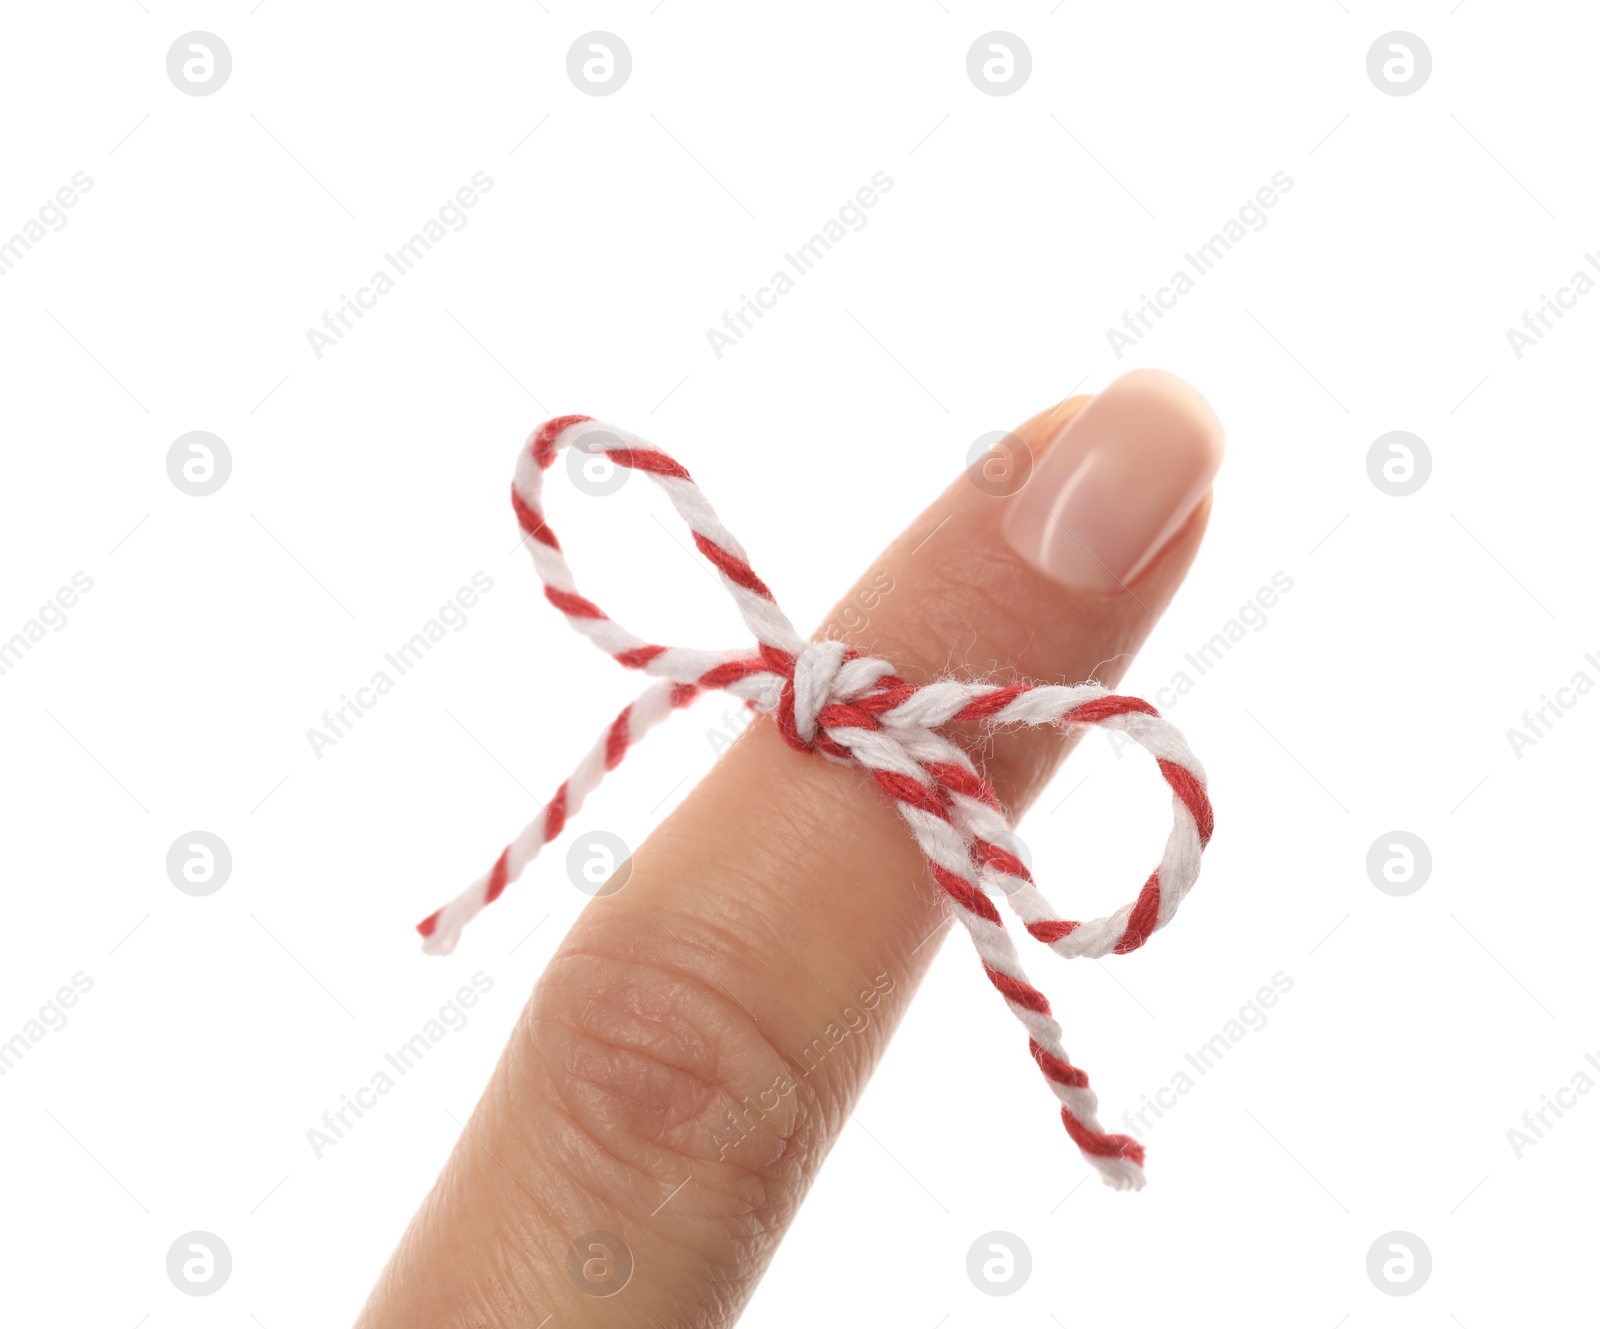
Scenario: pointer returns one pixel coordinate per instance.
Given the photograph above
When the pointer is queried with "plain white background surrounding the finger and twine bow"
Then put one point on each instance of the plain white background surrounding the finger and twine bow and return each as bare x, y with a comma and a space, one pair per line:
370, 484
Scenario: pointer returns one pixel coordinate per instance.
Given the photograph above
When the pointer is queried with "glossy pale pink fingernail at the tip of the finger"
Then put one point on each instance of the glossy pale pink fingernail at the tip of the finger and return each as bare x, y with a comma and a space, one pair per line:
1118, 482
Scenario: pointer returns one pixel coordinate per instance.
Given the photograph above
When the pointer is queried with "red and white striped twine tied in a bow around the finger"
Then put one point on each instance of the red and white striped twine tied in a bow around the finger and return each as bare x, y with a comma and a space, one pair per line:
854, 709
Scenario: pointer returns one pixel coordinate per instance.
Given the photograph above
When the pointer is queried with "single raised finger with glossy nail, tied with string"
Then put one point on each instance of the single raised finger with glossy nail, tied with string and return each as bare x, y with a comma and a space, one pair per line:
649, 1093
